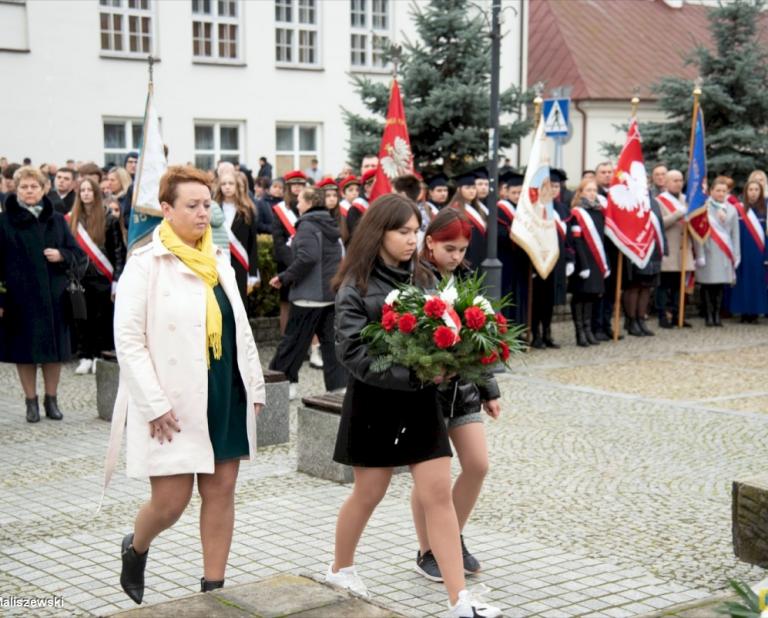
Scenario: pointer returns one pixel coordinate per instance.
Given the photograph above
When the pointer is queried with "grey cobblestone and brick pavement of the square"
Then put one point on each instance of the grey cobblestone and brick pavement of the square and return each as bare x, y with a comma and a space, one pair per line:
609, 492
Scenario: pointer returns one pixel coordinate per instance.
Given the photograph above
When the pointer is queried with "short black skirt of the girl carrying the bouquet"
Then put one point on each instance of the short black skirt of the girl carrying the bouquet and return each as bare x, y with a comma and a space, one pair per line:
383, 428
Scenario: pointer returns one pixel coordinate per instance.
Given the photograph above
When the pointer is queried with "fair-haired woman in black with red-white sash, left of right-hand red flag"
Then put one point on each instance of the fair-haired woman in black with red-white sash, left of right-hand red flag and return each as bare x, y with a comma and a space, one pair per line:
586, 234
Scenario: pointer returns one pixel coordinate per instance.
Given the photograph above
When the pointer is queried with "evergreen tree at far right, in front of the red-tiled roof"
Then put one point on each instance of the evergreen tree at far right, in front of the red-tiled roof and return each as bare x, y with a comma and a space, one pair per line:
734, 99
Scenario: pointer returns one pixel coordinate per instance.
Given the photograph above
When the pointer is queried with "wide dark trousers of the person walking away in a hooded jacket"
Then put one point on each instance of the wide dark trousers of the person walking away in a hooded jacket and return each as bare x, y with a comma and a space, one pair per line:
303, 324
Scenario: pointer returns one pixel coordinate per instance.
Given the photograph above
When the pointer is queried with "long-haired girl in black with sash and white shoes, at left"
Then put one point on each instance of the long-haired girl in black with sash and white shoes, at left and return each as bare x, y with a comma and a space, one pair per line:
99, 234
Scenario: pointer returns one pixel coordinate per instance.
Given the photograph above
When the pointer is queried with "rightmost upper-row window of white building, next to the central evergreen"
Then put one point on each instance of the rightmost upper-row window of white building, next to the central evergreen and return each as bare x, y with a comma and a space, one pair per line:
371, 29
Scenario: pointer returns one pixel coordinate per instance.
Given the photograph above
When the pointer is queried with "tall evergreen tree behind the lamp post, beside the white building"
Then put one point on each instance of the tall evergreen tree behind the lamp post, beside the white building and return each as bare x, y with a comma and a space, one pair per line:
445, 82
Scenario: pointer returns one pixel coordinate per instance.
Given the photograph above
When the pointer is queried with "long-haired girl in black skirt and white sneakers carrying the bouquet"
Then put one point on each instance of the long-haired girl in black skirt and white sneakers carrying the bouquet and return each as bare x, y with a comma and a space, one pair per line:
389, 418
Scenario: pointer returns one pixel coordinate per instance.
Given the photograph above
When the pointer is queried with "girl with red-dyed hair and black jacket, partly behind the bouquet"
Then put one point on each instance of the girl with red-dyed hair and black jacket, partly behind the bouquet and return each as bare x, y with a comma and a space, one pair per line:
445, 244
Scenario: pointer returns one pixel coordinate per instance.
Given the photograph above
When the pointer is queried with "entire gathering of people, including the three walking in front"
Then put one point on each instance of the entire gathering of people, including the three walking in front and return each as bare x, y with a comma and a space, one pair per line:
63, 237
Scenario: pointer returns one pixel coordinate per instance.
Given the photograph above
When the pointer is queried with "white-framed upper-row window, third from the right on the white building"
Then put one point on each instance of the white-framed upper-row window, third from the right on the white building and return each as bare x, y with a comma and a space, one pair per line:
216, 30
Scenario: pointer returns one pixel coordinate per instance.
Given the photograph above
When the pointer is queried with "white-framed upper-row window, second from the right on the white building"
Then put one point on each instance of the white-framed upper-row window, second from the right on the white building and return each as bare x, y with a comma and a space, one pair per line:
297, 33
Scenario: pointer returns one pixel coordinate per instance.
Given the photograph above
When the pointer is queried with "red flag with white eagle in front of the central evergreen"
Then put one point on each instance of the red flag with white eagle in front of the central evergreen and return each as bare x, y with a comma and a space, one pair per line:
395, 156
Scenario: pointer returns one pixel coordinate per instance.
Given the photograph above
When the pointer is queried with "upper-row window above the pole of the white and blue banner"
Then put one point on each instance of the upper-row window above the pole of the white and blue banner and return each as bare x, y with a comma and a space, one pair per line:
126, 27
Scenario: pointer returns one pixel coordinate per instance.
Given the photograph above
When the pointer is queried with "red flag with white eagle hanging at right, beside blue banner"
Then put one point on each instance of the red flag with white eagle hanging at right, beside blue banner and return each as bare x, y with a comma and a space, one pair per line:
628, 214
